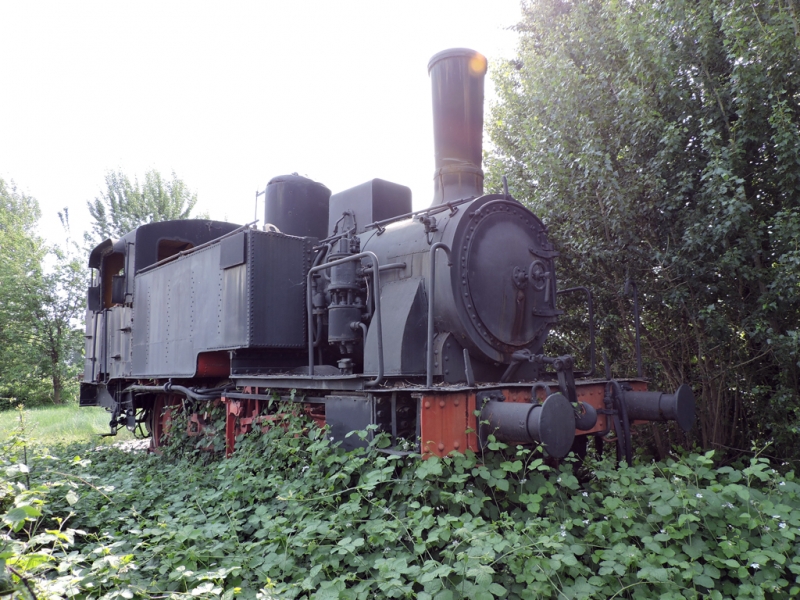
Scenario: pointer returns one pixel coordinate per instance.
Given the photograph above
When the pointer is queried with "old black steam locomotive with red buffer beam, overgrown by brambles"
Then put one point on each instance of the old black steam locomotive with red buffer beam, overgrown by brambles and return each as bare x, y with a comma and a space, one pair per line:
427, 324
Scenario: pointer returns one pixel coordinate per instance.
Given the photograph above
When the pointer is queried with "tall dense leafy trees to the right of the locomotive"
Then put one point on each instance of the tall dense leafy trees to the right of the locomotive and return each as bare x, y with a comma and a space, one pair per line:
661, 142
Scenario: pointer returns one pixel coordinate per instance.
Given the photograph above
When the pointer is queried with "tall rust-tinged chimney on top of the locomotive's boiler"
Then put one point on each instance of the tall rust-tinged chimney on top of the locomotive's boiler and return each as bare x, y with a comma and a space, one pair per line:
457, 81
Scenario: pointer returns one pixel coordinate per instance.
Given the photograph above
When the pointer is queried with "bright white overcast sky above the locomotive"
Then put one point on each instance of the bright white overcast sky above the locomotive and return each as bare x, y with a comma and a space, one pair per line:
227, 95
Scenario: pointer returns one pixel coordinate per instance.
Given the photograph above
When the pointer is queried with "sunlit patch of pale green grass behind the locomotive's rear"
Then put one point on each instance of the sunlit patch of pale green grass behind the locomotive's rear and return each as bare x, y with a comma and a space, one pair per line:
62, 424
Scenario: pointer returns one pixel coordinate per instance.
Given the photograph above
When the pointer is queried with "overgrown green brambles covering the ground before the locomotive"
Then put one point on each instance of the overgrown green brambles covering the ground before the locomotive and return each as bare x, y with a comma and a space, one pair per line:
290, 516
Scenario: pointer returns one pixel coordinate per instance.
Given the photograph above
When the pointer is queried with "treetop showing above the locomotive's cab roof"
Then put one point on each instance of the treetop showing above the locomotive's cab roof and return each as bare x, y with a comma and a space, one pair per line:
123, 206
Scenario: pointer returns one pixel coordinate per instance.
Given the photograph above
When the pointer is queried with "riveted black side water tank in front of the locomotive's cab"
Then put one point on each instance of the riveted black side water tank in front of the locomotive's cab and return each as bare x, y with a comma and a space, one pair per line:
191, 305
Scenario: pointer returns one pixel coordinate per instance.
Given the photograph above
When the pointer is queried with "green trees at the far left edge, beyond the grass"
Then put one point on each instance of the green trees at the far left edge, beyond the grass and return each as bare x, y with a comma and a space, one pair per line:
40, 309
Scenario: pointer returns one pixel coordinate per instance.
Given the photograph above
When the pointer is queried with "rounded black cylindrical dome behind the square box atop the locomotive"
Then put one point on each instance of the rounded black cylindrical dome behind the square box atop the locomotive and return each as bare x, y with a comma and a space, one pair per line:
297, 206
